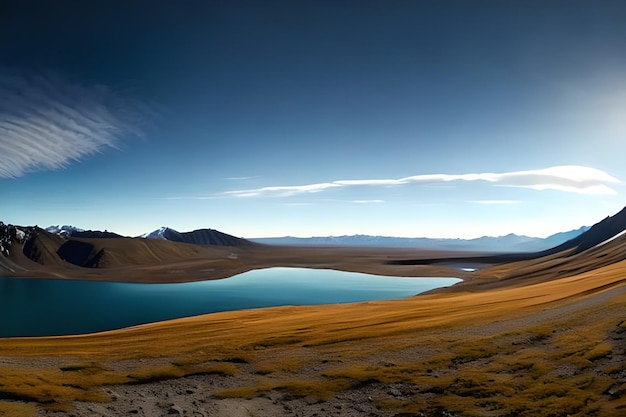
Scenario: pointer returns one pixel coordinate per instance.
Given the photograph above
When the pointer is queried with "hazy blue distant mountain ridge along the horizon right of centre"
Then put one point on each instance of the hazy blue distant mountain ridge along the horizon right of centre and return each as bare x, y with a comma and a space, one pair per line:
507, 243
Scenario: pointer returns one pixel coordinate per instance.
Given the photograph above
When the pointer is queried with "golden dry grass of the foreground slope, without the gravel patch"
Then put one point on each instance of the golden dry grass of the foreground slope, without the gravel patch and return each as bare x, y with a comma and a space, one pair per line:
554, 348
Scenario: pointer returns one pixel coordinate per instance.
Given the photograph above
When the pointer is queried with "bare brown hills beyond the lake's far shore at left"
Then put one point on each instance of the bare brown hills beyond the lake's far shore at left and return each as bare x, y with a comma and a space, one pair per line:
122, 259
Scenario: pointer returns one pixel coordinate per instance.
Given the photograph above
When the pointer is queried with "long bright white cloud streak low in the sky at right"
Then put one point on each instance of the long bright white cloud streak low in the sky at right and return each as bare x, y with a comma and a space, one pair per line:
567, 178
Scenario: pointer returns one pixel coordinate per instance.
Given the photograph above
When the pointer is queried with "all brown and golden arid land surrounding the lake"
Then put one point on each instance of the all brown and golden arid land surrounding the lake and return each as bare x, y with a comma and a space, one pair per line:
537, 335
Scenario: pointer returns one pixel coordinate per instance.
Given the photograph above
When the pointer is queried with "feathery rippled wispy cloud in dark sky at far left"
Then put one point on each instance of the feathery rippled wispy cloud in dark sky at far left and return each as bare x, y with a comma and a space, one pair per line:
46, 122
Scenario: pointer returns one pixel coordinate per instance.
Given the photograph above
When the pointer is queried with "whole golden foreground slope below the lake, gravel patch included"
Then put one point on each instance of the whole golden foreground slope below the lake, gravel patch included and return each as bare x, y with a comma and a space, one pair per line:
294, 361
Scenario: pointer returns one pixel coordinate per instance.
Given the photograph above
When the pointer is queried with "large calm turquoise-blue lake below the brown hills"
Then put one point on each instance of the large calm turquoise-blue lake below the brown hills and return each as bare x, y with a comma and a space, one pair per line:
47, 307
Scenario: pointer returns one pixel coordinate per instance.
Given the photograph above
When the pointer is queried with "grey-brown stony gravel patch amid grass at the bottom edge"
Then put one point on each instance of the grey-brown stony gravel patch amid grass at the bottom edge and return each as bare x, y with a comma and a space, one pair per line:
193, 396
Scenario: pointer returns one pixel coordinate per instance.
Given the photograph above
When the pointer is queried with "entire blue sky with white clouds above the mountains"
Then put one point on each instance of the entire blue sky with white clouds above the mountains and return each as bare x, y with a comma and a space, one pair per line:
453, 119
